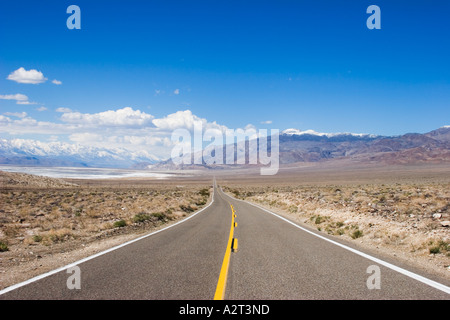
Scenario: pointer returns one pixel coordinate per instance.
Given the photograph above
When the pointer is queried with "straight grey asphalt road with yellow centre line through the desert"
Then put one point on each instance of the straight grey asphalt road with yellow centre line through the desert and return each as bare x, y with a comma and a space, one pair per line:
274, 259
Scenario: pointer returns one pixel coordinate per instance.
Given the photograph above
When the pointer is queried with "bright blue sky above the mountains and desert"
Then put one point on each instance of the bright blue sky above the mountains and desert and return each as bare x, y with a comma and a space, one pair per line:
296, 64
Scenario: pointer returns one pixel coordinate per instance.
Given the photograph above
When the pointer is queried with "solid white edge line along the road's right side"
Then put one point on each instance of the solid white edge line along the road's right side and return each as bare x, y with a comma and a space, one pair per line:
405, 272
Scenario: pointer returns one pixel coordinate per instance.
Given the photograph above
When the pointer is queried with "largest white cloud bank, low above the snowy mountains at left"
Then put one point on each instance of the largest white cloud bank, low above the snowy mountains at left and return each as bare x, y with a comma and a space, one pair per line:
125, 128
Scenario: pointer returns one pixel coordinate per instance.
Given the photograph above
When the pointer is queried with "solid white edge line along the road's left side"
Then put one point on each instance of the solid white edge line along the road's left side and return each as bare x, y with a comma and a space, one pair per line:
49, 273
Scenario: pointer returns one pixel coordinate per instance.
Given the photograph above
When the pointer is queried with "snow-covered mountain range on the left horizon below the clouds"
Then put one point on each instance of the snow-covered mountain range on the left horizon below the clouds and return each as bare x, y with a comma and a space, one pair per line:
32, 152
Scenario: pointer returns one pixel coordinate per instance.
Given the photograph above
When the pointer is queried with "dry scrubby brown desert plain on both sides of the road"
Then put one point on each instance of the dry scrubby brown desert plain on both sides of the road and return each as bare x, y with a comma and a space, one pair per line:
399, 211
